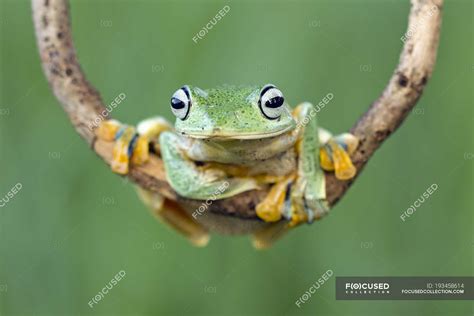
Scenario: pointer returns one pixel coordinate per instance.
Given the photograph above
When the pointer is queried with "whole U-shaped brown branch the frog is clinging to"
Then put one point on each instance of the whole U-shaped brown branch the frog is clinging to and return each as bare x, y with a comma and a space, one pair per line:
83, 104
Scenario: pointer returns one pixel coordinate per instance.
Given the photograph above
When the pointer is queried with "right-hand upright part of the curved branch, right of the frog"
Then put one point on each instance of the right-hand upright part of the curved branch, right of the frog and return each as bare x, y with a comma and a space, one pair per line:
403, 91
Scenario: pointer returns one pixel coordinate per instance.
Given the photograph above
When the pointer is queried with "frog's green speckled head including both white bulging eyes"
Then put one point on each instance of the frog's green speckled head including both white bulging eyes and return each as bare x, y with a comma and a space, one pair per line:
231, 112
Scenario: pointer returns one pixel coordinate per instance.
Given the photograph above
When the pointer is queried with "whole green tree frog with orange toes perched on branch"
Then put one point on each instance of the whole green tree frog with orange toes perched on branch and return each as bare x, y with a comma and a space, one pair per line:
229, 140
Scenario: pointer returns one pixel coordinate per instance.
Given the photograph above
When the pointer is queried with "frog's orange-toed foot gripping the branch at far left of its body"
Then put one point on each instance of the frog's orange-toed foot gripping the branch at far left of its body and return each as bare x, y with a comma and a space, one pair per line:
131, 145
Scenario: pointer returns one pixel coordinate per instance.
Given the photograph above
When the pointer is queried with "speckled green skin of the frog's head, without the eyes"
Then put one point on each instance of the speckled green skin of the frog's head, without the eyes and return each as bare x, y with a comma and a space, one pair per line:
231, 112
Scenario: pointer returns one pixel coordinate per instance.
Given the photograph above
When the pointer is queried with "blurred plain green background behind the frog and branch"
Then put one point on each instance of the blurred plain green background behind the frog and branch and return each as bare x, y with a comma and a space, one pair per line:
74, 224
